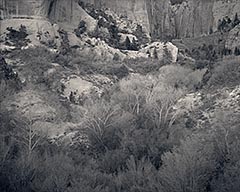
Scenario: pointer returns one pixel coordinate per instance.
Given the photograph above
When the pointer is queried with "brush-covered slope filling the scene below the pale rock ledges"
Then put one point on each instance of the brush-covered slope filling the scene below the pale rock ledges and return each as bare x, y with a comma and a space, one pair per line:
156, 128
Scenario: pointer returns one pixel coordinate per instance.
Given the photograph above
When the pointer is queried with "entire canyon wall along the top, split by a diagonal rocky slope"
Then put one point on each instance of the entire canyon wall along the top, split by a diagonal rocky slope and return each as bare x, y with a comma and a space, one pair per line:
162, 20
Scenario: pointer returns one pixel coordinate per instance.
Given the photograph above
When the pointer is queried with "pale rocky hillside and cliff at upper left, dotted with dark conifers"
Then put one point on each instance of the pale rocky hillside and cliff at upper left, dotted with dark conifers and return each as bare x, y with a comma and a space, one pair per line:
101, 33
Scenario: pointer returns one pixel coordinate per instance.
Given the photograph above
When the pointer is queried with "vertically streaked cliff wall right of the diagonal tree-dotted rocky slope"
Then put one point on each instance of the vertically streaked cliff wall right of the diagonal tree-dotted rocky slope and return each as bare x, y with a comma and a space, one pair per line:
192, 18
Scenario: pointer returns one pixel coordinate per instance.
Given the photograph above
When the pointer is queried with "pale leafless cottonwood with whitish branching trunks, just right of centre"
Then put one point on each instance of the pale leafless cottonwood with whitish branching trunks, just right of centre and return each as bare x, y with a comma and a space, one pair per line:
149, 96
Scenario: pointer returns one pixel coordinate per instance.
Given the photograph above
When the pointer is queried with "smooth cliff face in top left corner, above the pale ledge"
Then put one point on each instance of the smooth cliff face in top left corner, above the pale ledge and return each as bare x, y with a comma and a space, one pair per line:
67, 13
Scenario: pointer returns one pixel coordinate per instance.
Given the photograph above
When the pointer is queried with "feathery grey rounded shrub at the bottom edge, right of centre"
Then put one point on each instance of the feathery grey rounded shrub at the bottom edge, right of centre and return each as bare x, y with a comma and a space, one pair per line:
189, 167
